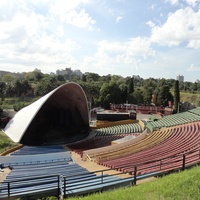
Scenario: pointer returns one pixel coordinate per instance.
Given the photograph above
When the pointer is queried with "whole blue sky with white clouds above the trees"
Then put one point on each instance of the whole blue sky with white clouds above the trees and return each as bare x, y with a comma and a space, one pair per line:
149, 38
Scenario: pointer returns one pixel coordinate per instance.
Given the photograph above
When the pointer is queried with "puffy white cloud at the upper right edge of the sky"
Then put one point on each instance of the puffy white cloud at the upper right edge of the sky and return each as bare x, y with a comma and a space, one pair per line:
181, 26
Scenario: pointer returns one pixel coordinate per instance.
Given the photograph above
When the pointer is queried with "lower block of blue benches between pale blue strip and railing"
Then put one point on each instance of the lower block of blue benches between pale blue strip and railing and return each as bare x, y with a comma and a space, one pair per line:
25, 181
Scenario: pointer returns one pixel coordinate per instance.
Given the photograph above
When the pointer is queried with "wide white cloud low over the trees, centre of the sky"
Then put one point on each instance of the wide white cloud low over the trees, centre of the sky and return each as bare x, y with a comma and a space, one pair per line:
110, 57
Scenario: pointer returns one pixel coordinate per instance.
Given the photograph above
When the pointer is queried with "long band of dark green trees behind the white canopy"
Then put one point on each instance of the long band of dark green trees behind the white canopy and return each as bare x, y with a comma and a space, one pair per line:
100, 90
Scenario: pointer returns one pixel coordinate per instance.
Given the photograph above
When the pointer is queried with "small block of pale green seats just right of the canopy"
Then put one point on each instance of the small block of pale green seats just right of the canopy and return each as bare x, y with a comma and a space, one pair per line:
119, 129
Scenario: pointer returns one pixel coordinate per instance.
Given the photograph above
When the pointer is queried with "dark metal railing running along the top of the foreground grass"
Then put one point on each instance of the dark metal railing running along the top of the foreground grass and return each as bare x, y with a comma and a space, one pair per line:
58, 185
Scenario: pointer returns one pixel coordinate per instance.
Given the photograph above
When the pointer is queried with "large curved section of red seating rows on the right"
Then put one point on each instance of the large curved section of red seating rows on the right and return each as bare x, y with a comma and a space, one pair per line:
184, 139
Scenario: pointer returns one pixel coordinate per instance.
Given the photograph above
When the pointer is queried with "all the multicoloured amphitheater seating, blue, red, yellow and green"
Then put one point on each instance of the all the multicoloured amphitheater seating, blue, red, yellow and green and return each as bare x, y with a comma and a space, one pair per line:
39, 170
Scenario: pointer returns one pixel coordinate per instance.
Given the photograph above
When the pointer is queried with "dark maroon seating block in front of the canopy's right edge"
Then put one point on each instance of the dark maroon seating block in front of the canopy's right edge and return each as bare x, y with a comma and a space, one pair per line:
92, 143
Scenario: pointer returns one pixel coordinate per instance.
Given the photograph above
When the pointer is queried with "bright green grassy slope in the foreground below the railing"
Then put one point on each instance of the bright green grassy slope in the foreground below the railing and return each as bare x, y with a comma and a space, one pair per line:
180, 186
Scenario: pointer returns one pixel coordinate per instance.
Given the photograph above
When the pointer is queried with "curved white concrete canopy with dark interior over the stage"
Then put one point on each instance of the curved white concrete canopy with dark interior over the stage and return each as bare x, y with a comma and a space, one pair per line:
59, 117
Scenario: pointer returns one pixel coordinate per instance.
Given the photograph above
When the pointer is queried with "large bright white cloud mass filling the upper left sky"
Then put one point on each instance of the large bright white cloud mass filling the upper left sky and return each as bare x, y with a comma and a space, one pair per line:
29, 38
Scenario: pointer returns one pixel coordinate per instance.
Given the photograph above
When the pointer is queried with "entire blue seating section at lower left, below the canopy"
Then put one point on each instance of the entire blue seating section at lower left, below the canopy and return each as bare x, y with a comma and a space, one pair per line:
40, 174
